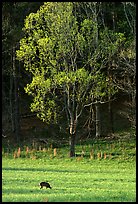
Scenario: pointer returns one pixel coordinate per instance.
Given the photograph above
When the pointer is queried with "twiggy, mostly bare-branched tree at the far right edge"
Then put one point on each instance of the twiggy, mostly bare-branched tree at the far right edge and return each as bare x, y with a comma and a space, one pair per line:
126, 63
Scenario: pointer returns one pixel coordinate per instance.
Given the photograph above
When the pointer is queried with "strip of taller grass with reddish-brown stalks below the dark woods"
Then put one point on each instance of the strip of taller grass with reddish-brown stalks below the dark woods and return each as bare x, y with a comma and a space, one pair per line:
99, 149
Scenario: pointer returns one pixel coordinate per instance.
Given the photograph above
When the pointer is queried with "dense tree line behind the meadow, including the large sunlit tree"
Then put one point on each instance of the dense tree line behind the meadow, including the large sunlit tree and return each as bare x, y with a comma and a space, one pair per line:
76, 57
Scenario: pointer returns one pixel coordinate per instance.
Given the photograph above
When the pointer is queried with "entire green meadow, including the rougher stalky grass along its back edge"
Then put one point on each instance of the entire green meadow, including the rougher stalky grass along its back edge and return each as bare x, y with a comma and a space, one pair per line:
91, 177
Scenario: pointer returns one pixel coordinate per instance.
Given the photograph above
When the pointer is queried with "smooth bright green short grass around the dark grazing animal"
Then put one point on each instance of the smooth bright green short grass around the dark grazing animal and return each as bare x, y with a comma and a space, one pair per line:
71, 180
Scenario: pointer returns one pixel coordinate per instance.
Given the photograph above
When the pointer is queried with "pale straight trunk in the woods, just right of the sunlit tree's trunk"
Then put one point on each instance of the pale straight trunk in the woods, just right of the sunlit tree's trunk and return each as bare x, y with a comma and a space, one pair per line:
98, 120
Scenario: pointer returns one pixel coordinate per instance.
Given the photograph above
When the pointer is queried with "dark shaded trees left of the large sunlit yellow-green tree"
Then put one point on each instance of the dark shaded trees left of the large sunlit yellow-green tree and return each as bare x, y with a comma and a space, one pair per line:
13, 14
